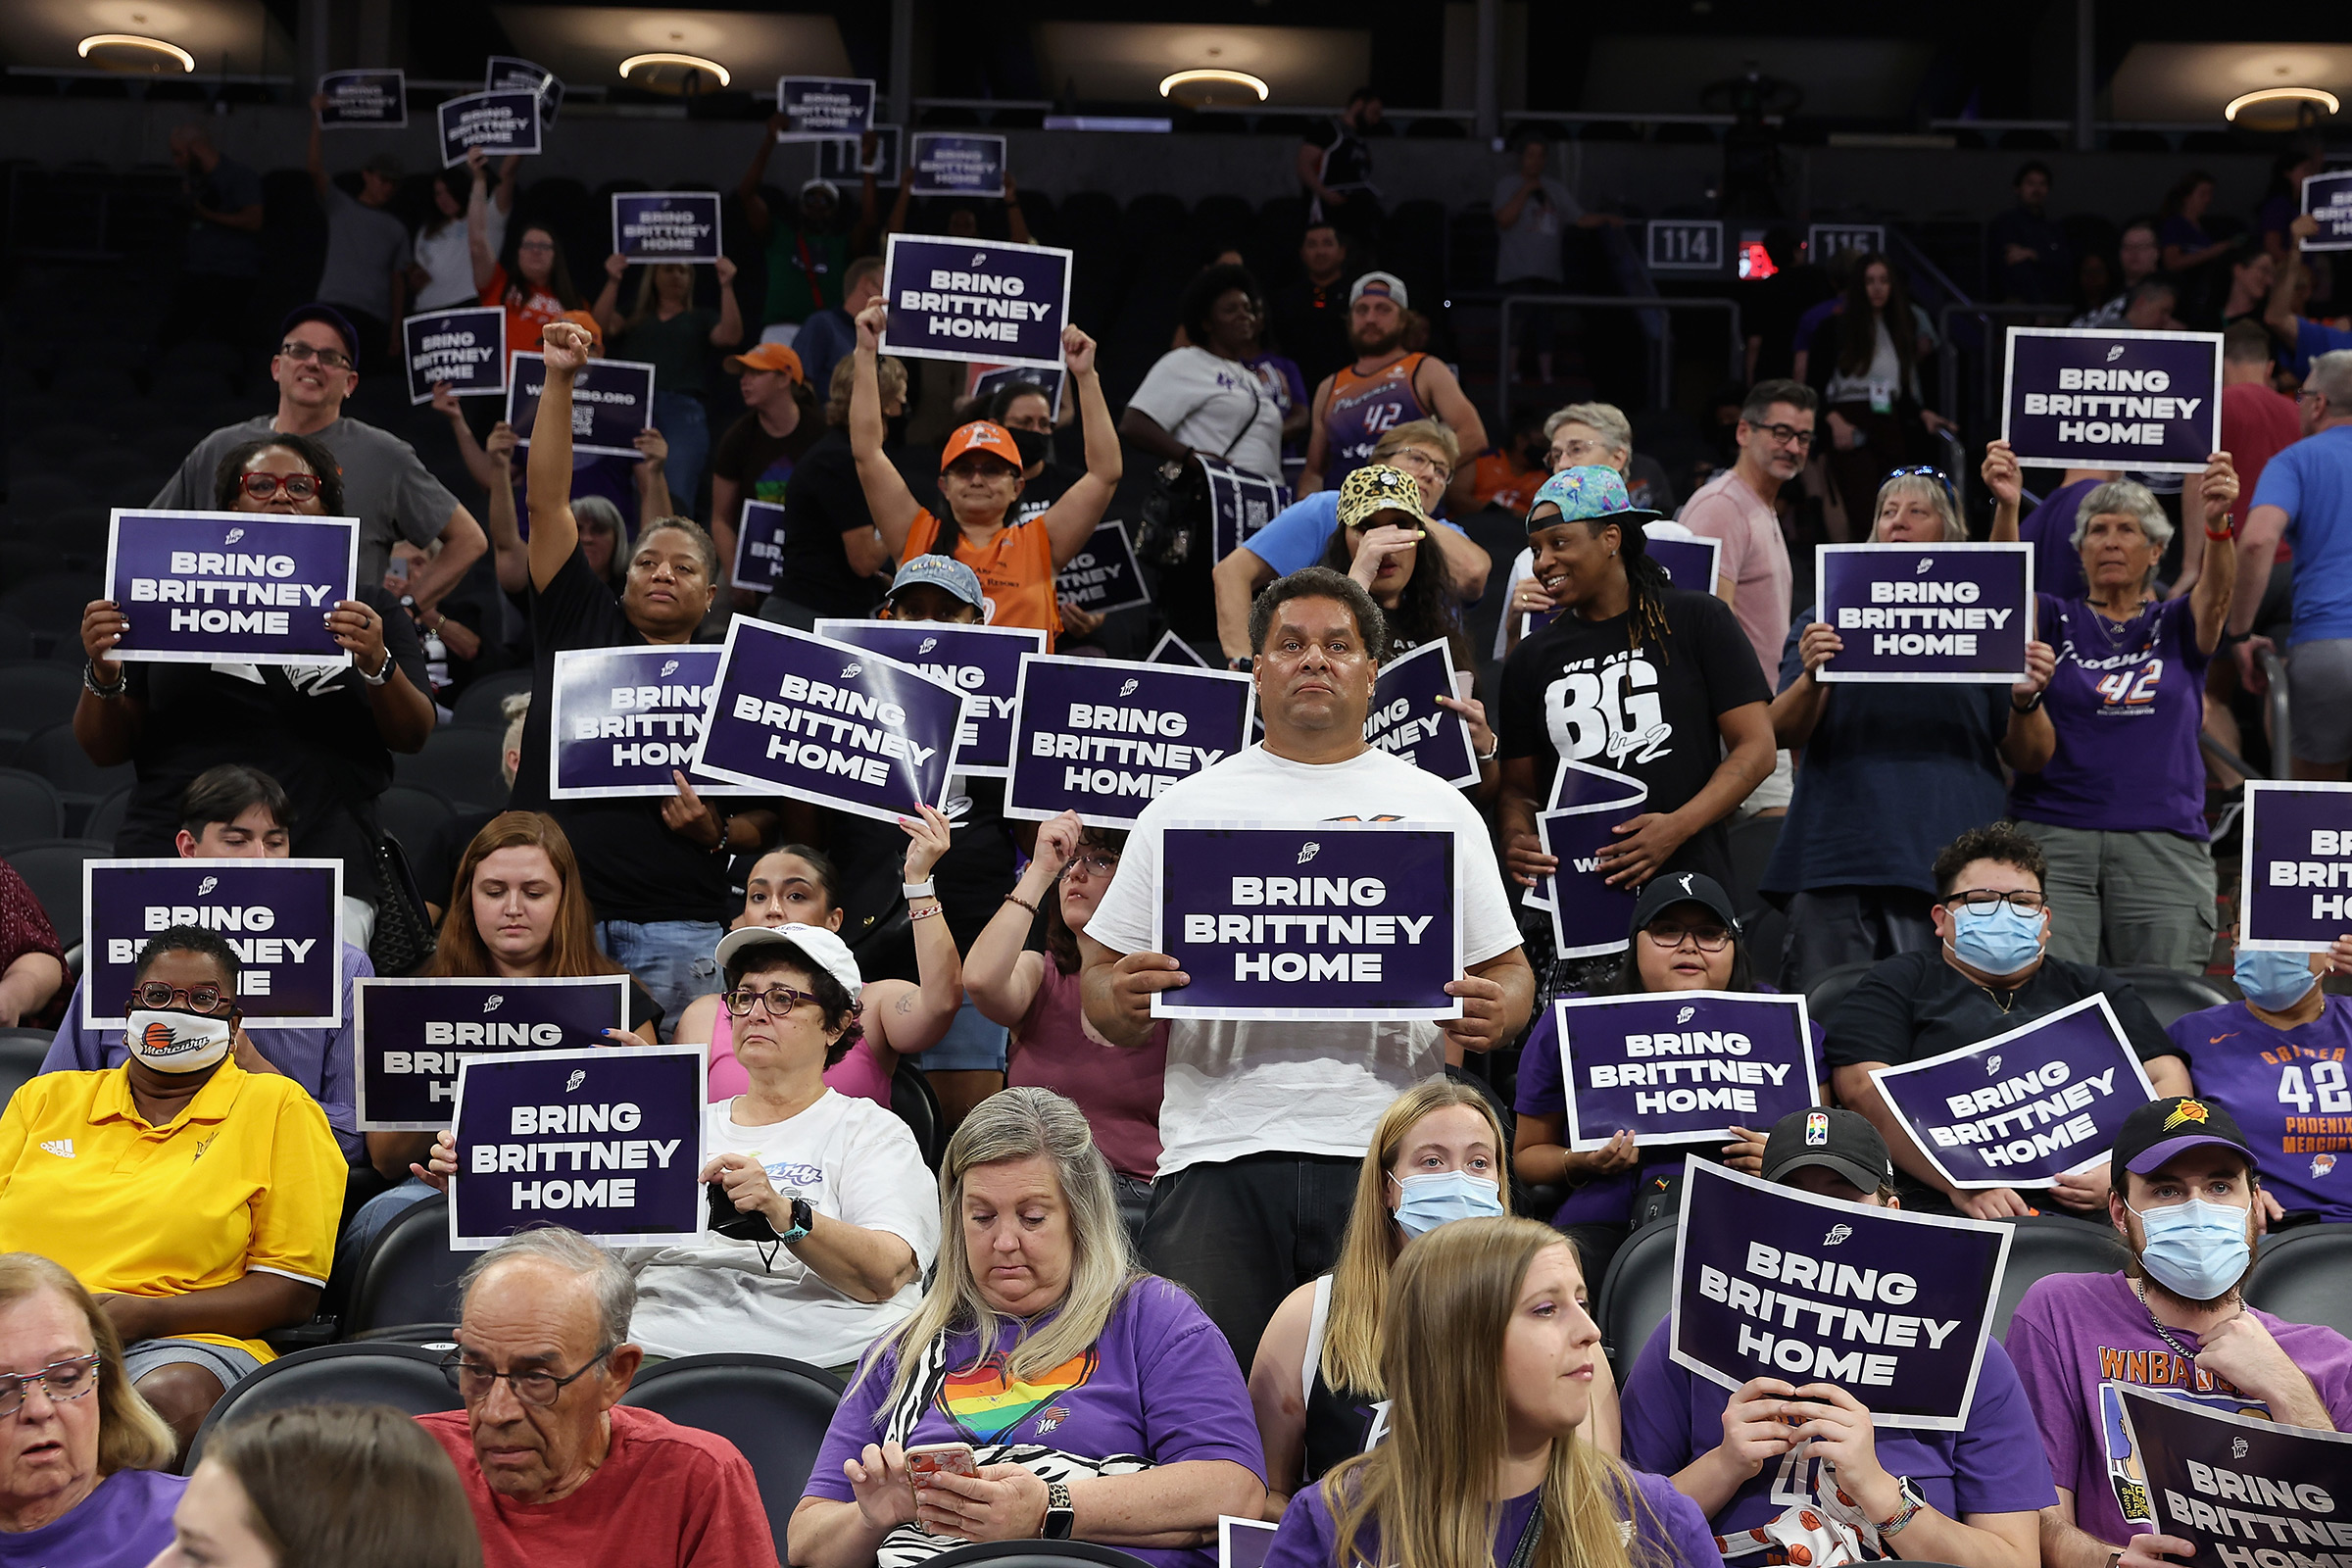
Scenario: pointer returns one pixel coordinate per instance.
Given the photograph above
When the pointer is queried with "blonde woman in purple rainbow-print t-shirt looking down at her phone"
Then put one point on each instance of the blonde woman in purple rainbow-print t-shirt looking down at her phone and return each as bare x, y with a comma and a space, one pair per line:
1100, 1402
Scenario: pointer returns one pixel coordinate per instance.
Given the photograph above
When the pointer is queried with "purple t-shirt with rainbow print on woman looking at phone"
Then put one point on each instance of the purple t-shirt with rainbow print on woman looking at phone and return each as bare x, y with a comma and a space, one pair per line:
1158, 1388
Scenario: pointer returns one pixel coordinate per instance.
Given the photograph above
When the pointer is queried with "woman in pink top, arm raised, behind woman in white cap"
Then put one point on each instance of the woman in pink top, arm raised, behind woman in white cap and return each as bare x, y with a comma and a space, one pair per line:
796, 887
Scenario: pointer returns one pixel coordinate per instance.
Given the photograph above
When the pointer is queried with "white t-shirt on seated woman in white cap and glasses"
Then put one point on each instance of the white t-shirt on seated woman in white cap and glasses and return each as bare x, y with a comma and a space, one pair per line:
857, 1165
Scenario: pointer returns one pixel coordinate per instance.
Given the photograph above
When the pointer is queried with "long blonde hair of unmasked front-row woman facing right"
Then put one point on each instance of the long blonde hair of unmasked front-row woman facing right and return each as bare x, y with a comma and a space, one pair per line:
1450, 1304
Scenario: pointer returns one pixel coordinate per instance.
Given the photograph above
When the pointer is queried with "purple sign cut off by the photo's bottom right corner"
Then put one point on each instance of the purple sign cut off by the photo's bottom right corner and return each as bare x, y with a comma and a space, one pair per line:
2238, 1487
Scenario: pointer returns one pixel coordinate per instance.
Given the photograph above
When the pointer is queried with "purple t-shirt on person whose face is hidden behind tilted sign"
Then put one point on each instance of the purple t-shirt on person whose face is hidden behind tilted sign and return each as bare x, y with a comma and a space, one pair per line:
1993, 1466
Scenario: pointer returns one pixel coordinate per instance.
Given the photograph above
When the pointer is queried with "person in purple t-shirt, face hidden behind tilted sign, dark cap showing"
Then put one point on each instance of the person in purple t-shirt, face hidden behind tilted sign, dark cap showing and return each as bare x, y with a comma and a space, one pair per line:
1805, 1470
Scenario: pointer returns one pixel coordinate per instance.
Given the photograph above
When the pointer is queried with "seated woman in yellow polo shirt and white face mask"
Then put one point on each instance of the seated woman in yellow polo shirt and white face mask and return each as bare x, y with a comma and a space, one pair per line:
194, 1188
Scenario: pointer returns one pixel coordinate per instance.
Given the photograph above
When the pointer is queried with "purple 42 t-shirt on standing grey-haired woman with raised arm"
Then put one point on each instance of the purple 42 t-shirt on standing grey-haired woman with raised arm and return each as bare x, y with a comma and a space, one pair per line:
2127, 702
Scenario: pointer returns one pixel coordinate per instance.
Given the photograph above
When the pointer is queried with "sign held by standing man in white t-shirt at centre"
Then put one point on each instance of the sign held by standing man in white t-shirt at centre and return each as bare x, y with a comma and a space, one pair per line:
1311, 923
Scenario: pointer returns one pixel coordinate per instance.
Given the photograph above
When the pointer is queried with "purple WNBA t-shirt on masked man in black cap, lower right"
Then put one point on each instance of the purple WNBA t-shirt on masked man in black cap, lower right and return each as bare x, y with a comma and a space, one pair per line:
2078, 1334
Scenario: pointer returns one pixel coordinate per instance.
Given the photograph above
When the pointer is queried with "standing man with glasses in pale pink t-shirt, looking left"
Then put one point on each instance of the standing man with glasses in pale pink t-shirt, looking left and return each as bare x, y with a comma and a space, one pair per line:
1739, 509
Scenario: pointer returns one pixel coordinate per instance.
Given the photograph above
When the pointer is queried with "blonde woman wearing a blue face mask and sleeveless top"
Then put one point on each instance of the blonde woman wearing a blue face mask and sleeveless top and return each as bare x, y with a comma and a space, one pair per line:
1316, 1383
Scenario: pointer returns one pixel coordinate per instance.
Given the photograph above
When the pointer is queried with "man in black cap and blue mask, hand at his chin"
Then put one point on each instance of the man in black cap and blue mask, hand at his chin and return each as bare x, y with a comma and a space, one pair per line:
2186, 1198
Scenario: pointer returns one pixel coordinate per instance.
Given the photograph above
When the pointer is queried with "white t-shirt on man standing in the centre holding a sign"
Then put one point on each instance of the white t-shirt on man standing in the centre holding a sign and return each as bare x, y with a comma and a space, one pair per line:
1297, 1087
